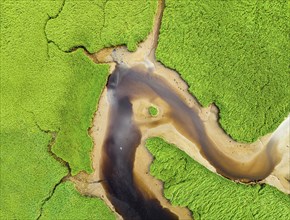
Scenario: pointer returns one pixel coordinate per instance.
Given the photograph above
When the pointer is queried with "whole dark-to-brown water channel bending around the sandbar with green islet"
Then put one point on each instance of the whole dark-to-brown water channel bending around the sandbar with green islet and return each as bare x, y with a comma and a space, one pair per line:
123, 136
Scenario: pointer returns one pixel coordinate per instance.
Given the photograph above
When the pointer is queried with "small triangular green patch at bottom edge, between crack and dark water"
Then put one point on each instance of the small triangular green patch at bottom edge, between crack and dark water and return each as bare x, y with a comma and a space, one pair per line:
66, 203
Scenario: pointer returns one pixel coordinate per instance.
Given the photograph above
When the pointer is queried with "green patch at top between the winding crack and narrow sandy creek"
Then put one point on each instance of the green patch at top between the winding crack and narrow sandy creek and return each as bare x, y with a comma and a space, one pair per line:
98, 24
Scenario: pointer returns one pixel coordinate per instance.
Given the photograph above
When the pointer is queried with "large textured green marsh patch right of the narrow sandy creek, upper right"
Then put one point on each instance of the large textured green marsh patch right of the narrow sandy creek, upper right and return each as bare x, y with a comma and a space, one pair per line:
234, 54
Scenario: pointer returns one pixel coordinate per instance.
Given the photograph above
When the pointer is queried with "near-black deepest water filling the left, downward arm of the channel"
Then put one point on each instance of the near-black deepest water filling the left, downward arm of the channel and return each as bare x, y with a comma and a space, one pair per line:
117, 169
